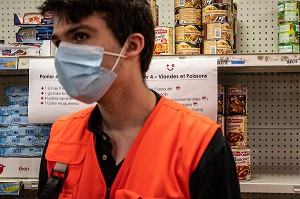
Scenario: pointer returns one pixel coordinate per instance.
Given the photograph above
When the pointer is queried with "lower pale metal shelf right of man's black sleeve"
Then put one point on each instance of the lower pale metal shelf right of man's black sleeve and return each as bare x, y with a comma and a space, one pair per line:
272, 183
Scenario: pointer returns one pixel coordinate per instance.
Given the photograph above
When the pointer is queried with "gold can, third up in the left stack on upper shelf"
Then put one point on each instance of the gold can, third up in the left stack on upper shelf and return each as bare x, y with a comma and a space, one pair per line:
188, 16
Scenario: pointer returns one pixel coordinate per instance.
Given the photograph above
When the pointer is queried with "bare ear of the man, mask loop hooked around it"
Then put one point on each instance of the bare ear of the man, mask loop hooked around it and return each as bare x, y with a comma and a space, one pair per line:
136, 44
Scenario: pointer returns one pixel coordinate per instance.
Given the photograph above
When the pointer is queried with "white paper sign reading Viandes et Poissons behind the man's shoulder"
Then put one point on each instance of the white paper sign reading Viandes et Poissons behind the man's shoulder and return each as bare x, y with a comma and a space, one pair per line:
191, 82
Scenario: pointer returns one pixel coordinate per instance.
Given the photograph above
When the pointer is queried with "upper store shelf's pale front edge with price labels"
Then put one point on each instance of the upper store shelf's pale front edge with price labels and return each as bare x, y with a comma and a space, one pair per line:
235, 63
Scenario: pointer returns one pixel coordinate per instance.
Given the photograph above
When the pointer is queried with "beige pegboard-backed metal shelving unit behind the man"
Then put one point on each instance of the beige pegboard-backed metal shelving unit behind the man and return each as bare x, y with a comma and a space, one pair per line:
273, 82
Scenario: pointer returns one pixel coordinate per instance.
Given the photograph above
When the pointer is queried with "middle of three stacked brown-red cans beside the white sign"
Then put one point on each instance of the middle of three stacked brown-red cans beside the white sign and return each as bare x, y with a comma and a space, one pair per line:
236, 130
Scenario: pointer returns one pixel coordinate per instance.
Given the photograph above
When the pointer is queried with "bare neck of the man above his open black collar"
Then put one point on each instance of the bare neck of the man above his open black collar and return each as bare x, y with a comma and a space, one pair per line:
123, 119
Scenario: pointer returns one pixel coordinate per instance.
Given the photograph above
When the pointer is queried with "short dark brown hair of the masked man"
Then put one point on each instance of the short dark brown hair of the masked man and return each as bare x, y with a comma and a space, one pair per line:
122, 16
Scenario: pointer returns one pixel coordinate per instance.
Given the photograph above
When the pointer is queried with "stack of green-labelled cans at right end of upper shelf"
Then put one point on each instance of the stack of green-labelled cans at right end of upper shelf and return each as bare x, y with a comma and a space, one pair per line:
288, 27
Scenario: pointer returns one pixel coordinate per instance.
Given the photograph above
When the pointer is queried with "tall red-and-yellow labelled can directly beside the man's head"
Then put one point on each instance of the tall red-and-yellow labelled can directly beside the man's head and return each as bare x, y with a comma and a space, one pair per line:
163, 41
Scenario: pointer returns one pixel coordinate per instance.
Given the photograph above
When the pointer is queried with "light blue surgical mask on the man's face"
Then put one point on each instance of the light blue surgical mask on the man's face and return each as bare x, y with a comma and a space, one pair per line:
80, 72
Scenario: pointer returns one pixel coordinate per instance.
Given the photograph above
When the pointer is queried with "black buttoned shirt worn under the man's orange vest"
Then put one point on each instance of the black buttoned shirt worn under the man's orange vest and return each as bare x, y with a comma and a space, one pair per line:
214, 177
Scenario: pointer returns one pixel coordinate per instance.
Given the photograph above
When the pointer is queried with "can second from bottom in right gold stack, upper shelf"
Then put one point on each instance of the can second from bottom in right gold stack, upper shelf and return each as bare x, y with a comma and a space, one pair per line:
218, 31
